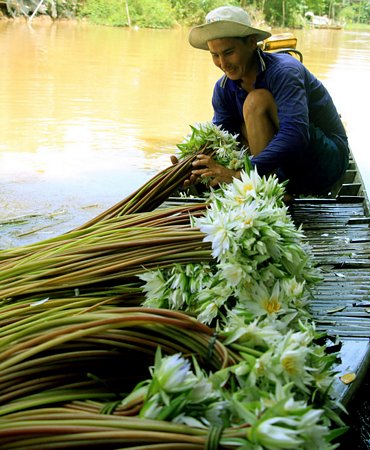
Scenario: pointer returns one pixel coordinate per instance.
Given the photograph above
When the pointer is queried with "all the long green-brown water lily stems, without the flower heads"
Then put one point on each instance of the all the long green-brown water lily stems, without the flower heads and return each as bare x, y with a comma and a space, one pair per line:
68, 332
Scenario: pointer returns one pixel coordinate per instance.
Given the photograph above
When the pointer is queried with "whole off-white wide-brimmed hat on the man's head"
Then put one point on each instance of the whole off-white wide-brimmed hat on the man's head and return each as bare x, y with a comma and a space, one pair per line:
226, 21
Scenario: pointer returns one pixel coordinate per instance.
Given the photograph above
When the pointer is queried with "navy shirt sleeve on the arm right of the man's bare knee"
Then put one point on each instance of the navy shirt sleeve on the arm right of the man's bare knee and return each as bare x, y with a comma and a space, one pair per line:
288, 85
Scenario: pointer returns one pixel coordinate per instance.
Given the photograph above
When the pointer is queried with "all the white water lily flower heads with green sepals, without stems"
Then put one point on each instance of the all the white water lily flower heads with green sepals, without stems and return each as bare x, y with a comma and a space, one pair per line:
256, 294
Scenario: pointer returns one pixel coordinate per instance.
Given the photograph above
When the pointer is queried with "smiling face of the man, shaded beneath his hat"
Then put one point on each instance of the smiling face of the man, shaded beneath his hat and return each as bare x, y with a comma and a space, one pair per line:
233, 56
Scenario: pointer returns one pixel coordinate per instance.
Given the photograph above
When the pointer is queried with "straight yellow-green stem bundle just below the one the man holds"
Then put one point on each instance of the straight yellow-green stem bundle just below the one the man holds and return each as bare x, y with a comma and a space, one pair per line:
104, 256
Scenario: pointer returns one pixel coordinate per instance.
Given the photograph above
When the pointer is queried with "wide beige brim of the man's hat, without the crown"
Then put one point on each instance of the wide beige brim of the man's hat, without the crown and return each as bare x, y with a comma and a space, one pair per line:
201, 34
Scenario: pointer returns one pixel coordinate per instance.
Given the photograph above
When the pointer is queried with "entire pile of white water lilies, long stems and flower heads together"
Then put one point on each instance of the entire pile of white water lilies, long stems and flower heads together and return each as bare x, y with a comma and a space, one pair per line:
216, 293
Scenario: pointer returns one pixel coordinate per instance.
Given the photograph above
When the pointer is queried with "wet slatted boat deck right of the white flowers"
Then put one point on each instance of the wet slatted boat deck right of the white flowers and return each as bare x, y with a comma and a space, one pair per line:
339, 235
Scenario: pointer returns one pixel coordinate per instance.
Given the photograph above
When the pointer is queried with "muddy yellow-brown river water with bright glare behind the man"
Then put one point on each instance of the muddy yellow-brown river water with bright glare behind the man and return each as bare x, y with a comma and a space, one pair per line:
89, 113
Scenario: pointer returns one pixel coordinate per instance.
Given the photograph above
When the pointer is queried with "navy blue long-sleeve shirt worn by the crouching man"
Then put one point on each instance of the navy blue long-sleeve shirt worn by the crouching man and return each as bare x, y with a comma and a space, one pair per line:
301, 99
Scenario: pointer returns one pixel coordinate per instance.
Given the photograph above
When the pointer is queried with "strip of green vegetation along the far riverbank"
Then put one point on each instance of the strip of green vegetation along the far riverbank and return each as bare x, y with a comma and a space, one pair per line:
169, 13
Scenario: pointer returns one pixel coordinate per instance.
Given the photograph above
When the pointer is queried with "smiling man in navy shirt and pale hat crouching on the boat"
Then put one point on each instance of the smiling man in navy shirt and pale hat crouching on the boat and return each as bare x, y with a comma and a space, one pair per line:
279, 109
